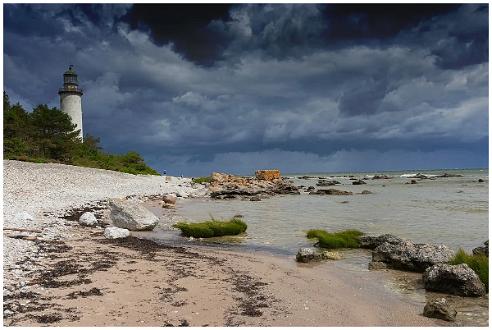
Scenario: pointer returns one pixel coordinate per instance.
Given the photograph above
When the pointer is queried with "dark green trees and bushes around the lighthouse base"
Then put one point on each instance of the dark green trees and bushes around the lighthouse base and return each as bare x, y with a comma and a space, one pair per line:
48, 135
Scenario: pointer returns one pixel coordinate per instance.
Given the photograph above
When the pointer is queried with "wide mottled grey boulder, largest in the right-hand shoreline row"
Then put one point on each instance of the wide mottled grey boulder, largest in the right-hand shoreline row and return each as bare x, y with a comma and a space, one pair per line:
407, 255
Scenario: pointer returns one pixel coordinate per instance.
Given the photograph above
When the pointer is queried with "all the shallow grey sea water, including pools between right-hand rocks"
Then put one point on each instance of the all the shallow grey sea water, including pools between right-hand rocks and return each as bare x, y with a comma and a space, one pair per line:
452, 211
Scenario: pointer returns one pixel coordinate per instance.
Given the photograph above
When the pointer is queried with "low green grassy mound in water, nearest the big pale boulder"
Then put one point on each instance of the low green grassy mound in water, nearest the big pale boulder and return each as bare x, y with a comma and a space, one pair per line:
212, 228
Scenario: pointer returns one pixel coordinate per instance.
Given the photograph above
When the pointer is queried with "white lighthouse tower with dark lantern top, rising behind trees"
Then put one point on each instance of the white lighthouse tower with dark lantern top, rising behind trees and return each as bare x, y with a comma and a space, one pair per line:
71, 98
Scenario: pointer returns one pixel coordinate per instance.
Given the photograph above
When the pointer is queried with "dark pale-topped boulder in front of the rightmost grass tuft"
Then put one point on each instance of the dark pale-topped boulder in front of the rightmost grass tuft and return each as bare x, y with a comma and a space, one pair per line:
459, 279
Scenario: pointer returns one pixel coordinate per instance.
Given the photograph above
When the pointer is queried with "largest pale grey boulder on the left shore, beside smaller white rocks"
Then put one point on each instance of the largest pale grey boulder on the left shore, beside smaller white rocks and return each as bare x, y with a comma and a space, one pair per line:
131, 215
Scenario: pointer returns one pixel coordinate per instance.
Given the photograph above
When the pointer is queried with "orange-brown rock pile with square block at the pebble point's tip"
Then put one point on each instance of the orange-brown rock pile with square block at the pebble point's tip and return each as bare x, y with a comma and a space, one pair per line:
267, 183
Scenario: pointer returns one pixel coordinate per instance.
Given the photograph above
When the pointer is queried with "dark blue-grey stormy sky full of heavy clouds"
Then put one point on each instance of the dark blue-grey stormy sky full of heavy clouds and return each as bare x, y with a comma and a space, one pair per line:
303, 88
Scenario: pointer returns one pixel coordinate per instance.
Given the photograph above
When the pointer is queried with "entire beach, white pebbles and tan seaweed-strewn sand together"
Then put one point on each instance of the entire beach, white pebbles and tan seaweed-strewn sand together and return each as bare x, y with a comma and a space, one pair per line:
69, 275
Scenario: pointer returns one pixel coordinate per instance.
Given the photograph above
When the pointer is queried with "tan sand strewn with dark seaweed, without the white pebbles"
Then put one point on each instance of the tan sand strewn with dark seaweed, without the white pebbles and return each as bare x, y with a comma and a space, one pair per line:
91, 281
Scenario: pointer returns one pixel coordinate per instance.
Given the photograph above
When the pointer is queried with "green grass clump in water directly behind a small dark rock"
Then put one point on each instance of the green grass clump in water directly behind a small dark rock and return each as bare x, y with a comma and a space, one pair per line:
341, 239
